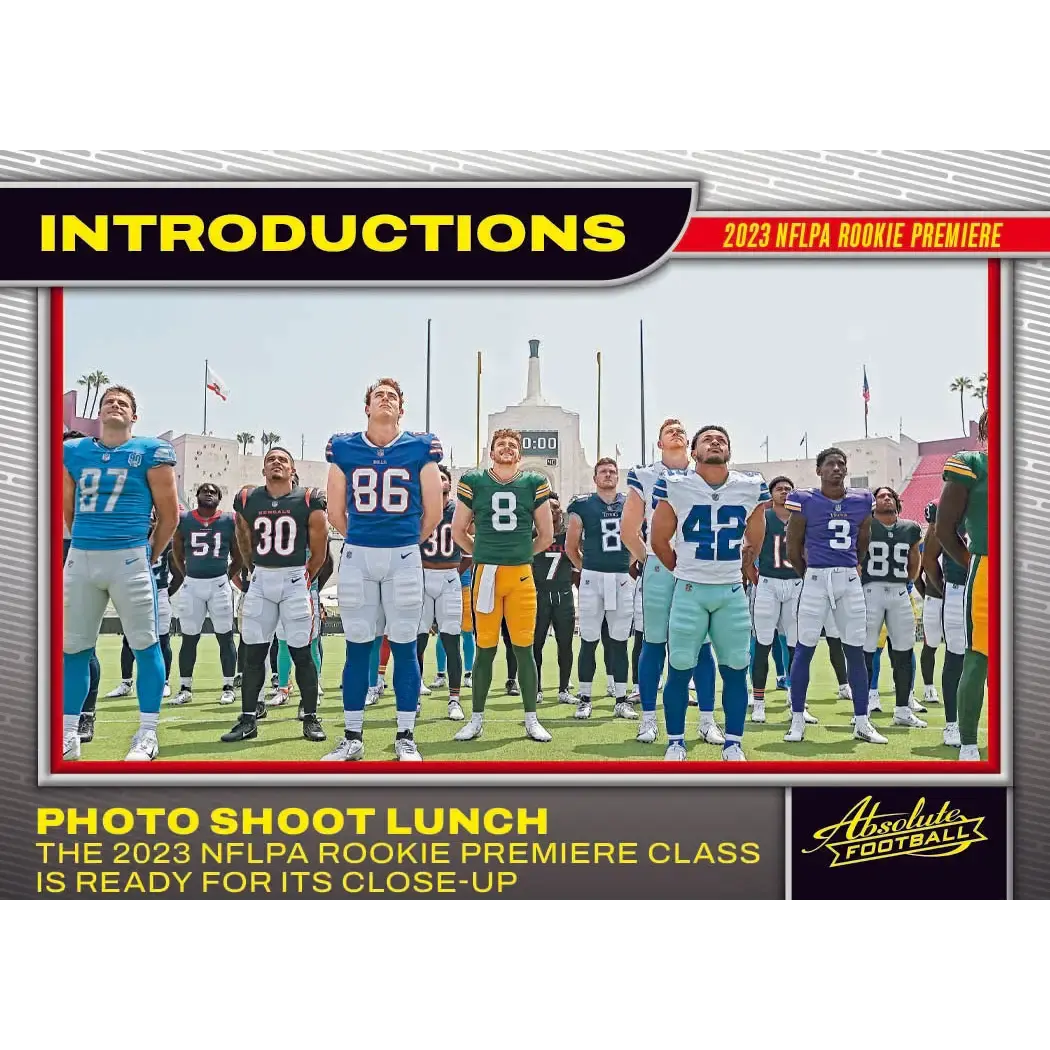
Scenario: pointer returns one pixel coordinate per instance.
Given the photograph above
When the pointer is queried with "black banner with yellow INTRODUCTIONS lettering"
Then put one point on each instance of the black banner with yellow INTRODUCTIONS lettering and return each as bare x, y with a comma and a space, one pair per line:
206, 235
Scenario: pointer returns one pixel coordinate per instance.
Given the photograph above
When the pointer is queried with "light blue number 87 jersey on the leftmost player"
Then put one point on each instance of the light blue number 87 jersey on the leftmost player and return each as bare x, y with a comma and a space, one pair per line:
114, 503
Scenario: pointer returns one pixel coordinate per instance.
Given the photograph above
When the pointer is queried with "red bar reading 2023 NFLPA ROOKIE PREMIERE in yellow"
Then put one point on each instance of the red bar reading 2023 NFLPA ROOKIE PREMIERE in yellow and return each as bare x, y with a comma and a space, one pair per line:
857, 236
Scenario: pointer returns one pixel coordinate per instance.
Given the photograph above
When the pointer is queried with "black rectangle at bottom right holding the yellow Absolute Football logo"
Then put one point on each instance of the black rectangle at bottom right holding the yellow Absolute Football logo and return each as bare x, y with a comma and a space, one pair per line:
902, 845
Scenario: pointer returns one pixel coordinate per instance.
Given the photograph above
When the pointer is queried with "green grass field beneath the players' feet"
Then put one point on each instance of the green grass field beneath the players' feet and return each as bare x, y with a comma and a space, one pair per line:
192, 733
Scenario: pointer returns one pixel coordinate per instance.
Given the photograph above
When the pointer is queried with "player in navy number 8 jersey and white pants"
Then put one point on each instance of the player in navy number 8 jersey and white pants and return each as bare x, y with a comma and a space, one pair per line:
595, 545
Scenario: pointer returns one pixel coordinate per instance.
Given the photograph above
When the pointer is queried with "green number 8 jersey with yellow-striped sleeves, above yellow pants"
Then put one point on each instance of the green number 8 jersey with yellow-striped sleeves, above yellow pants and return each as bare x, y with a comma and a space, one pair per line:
503, 515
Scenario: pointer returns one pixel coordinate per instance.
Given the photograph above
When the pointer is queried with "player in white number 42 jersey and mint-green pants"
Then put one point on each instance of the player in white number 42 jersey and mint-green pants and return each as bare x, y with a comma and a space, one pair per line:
702, 521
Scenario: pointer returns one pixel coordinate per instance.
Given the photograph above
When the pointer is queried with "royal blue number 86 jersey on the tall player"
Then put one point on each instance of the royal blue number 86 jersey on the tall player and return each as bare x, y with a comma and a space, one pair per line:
385, 499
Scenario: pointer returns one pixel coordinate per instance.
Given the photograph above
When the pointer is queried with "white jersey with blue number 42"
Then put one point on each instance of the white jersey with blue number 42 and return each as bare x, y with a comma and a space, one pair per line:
711, 523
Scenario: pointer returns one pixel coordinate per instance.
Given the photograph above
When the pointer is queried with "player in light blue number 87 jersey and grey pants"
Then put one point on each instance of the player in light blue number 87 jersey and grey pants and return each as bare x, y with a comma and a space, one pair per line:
111, 489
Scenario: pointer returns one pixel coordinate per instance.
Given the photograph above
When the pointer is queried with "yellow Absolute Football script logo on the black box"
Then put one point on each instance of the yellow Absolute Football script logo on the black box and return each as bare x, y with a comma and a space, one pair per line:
866, 833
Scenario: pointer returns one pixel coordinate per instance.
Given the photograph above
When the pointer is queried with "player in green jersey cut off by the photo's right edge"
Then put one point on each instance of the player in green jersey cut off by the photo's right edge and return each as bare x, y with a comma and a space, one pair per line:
964, 510
